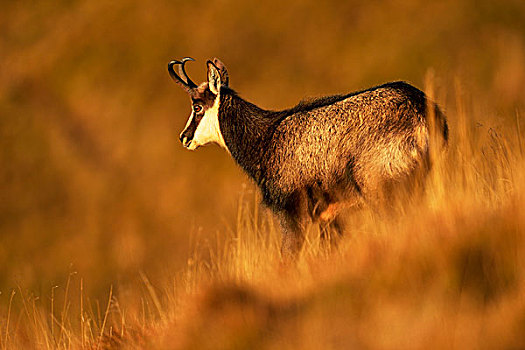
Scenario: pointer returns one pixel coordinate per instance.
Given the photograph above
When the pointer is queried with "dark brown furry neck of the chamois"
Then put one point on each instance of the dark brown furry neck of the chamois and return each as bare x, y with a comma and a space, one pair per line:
246, 130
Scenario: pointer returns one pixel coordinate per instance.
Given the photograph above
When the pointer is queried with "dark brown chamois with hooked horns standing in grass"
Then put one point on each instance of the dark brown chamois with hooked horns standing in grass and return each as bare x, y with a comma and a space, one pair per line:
311, 160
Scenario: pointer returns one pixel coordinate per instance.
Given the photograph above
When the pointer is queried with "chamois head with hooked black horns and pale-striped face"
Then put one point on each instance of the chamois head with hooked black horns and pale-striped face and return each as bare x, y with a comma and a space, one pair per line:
203, 124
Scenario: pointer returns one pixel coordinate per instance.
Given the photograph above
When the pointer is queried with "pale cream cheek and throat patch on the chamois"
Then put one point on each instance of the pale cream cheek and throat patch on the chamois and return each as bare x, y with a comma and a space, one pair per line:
208, 129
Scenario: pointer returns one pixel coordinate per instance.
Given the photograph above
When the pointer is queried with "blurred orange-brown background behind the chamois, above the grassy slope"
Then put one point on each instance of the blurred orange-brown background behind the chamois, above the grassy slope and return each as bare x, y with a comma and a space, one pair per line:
93, 179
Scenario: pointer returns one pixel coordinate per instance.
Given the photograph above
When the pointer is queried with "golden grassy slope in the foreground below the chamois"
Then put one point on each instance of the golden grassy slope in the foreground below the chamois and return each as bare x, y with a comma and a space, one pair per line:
446, 270
